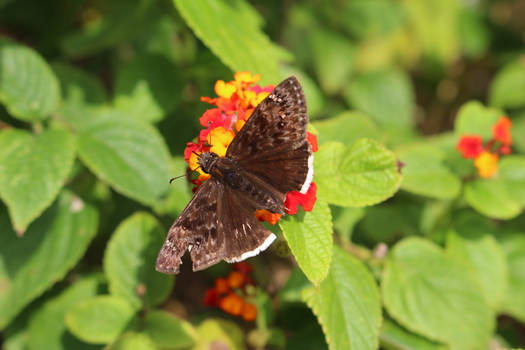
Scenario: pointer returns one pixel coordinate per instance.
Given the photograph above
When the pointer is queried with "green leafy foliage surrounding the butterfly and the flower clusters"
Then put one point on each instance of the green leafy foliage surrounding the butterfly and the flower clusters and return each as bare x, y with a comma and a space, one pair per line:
98, 100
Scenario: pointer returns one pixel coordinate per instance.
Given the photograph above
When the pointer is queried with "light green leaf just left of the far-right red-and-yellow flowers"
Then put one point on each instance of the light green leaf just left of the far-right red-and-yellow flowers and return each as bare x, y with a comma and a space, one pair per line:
424, 173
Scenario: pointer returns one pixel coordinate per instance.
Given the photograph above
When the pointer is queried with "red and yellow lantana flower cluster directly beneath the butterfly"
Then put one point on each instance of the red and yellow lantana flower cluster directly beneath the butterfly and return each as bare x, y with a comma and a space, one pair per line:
234, 105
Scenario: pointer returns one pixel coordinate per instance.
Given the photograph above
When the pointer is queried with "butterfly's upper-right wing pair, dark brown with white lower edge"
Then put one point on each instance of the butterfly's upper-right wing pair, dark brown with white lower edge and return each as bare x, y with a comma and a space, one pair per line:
272, 144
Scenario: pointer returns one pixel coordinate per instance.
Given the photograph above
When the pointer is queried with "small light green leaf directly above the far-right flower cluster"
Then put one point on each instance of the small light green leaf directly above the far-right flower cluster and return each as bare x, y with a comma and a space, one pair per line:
475, 119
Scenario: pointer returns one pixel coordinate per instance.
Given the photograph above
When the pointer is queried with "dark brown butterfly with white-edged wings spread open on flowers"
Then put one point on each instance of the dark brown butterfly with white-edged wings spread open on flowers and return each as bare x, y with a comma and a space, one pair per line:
269, 157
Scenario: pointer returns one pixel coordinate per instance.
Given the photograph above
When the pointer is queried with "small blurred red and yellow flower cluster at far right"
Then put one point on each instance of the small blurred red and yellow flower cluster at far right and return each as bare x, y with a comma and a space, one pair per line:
486, 155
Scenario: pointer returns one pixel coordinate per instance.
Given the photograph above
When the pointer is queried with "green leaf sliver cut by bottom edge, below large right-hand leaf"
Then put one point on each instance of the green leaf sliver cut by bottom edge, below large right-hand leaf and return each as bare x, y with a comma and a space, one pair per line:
395, 337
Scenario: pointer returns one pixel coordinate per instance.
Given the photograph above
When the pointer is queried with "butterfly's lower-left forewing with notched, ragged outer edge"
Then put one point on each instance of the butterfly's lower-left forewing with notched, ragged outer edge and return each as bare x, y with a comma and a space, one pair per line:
196, 229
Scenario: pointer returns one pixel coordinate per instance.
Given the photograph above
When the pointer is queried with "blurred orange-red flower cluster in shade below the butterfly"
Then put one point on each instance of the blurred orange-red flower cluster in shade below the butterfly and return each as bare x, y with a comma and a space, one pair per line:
230, 294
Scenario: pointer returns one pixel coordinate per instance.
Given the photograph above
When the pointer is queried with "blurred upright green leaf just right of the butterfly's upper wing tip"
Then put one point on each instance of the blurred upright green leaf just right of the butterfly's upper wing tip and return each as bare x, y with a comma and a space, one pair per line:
333, 59
